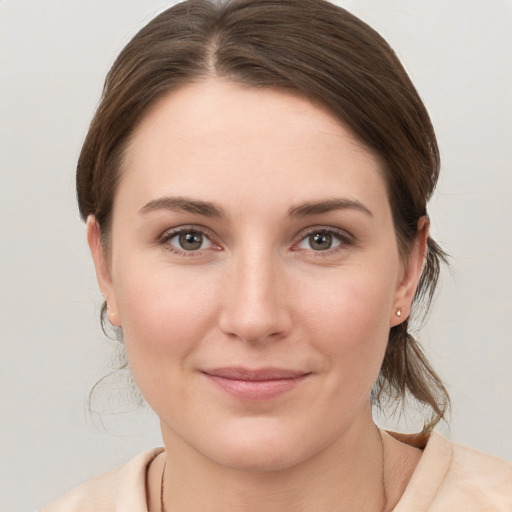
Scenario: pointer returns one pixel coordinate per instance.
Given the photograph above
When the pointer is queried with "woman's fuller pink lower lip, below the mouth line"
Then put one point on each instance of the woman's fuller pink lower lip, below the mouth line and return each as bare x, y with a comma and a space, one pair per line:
256, 390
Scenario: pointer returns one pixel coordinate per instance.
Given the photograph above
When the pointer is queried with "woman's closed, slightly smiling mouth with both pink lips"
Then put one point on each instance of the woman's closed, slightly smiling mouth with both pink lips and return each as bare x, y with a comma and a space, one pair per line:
259, 384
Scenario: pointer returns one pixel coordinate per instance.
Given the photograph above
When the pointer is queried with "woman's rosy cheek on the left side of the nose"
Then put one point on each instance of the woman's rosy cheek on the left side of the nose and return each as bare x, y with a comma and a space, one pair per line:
164, 316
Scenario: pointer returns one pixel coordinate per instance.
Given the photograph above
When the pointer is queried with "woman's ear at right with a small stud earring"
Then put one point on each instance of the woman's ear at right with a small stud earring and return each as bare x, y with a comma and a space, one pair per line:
413, 267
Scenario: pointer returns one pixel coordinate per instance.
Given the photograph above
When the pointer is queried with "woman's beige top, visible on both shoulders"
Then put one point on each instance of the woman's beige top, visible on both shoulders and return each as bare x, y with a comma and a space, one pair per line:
448, 478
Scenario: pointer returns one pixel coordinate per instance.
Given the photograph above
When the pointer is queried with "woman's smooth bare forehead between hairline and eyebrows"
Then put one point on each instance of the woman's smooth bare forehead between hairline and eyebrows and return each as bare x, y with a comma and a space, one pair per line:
215, 136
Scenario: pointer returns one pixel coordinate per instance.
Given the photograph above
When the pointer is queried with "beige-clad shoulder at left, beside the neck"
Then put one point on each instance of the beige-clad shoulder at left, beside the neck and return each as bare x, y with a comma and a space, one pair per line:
122, 488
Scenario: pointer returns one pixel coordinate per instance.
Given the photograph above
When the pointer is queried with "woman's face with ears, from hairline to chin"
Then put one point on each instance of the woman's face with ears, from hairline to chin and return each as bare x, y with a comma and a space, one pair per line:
255, 273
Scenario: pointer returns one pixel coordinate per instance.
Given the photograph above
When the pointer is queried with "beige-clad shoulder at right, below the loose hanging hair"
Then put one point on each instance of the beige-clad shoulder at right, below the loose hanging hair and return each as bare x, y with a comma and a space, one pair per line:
452, 477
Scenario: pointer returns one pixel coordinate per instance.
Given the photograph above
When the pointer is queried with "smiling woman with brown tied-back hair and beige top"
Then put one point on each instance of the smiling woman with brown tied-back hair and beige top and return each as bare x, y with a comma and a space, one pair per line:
254, 185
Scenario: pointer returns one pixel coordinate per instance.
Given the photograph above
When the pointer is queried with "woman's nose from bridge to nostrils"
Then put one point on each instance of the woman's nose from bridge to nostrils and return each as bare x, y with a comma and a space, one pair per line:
256, 300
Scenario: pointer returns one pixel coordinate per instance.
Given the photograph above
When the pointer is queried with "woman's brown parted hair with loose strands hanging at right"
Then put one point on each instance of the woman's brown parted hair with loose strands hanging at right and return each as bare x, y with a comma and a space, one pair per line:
309, 47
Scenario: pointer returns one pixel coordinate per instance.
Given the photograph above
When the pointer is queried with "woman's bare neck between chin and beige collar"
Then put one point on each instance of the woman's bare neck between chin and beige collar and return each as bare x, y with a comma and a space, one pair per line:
345, 476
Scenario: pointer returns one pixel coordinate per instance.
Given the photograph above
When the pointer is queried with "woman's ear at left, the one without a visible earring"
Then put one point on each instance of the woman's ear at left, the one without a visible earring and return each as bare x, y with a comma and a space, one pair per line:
103, 273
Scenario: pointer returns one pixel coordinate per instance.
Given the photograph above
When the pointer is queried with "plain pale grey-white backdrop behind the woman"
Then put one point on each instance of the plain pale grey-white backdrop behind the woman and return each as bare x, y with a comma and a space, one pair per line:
54, 55
